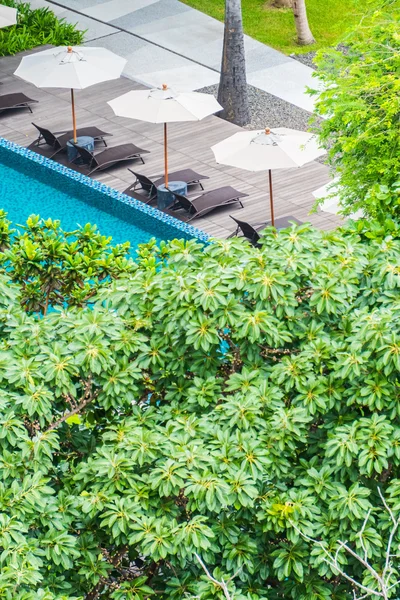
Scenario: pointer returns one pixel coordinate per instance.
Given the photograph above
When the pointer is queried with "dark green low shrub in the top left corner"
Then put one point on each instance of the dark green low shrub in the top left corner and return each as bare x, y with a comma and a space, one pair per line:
36, 27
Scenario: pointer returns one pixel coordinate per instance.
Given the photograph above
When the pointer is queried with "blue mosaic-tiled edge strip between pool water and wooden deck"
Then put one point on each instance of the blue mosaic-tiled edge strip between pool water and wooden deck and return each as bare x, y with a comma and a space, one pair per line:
180, 226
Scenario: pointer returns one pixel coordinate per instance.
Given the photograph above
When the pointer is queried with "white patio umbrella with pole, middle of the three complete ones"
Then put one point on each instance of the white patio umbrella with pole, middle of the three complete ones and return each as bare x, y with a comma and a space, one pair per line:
164, 105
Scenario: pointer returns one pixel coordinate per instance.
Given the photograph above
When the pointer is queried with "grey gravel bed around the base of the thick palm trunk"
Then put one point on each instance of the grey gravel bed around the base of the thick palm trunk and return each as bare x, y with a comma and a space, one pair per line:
269, 111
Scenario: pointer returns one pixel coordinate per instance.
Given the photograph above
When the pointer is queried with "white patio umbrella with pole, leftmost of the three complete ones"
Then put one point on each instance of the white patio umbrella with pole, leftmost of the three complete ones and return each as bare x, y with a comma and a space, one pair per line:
75, 67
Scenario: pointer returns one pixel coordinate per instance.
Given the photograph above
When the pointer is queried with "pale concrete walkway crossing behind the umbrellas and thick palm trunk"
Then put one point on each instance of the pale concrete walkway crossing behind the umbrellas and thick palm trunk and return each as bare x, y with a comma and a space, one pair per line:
166, 41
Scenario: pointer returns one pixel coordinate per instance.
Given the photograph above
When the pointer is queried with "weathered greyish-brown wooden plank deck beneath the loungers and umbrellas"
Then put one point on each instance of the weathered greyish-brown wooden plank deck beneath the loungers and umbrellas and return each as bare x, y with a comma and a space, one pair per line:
189, 147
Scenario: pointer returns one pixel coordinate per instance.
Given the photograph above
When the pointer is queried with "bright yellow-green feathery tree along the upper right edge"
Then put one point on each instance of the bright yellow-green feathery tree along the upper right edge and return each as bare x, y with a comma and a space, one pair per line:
360, 105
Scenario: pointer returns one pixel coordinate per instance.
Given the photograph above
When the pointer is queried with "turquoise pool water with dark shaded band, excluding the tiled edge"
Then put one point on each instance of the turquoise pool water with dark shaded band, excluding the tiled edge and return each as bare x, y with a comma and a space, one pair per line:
28, 188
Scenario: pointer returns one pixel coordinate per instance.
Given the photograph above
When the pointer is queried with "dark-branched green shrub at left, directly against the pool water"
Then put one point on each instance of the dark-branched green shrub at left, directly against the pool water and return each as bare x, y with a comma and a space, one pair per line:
58, 268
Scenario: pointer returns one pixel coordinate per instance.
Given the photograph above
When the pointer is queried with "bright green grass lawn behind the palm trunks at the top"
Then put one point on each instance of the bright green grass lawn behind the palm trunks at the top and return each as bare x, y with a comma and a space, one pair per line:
329, 20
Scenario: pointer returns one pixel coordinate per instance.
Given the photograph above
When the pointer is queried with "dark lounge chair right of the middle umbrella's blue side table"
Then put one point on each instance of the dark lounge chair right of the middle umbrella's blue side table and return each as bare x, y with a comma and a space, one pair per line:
207, 202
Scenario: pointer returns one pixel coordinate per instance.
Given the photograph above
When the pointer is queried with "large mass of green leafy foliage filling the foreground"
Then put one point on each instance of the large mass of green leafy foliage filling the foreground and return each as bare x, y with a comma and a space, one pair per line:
213, 400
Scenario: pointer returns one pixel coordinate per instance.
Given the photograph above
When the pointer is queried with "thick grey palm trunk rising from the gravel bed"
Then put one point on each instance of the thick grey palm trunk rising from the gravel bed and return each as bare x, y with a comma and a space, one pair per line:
232, 92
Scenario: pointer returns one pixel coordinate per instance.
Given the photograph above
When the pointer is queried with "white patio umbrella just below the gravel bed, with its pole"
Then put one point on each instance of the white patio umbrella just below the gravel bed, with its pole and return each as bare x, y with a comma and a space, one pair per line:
264, 150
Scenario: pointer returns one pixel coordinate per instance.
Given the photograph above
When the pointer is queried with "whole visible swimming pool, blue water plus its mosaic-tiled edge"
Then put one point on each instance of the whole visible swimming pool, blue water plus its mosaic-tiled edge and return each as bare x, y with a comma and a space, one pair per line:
32, 184
